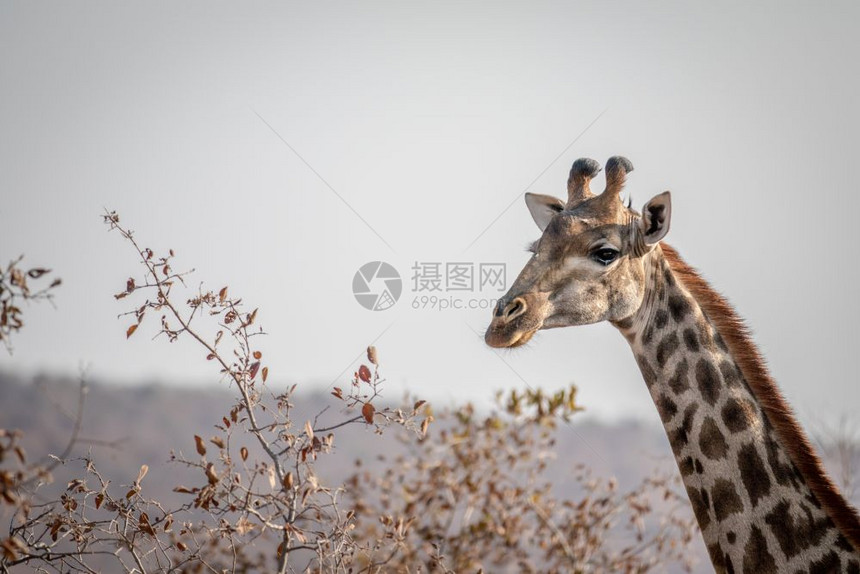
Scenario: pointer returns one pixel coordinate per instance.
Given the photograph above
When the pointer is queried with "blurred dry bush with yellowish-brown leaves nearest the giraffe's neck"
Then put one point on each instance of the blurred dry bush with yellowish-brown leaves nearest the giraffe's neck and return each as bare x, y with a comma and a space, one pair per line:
472, 496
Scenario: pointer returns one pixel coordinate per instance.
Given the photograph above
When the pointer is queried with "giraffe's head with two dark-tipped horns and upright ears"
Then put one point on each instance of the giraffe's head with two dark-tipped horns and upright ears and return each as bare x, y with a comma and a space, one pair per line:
587, 266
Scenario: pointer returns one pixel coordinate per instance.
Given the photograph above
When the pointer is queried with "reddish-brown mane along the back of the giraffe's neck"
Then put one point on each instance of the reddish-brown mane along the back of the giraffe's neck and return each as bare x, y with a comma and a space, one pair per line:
737, 336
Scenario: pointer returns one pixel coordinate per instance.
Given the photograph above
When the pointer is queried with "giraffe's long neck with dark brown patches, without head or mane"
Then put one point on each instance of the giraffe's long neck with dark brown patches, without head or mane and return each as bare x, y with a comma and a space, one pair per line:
756, 509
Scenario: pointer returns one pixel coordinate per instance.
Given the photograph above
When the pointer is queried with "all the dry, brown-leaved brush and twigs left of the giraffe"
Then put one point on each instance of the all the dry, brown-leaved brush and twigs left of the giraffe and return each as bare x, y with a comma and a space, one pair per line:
467, 492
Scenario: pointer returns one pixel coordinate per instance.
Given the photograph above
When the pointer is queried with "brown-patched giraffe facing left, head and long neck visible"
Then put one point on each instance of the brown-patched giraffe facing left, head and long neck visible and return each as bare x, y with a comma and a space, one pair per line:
759, 493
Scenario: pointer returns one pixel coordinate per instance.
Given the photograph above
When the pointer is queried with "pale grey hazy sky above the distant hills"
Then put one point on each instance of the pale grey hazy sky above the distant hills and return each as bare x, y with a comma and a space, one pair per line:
279, 147
